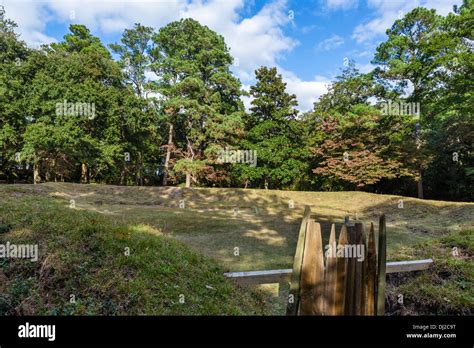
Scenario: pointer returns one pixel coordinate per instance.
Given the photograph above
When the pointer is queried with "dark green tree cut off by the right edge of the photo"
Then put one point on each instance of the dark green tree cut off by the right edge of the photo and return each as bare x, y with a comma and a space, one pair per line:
449, 109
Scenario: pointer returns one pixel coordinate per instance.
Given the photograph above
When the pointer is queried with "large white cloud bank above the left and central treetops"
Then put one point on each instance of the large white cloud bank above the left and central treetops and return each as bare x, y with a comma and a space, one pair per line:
255, 41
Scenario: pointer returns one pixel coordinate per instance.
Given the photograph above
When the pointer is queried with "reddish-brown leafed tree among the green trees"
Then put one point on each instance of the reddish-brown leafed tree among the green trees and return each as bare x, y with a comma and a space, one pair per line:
355, 151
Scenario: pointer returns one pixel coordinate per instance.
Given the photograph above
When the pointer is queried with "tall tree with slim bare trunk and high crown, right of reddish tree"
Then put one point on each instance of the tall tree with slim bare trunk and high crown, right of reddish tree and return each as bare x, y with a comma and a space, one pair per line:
412, 55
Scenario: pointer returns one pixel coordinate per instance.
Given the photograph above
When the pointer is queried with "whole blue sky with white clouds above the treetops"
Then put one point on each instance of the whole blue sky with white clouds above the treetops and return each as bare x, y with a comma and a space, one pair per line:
307, 40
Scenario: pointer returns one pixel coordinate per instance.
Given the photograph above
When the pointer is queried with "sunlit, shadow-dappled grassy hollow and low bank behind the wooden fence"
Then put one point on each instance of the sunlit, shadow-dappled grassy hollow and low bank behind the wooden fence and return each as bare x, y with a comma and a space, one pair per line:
266, 240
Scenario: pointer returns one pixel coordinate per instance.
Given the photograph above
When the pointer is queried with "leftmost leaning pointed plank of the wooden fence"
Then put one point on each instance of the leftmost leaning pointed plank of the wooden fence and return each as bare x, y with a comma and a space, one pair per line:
293, 297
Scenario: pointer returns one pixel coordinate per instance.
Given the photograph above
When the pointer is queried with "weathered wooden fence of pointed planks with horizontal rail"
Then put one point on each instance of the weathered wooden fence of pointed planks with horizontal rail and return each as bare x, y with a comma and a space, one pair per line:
350, 280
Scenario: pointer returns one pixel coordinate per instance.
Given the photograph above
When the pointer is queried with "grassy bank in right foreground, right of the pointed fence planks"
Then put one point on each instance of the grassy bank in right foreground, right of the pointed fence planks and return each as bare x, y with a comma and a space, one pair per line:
446, 288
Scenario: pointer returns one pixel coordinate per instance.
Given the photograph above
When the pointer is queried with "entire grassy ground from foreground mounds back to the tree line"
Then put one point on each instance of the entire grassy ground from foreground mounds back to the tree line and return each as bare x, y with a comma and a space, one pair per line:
241, 229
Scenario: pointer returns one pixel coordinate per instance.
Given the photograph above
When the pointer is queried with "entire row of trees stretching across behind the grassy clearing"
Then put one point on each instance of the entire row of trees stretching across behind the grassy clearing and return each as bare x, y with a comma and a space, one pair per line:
160, 107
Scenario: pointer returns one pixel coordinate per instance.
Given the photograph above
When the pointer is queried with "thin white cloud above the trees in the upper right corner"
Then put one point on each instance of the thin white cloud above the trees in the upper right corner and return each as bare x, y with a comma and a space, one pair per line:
388, 11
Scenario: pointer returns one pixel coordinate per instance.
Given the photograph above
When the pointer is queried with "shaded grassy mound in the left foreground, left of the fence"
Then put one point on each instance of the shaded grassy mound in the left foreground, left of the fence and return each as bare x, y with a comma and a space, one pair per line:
82, 254
